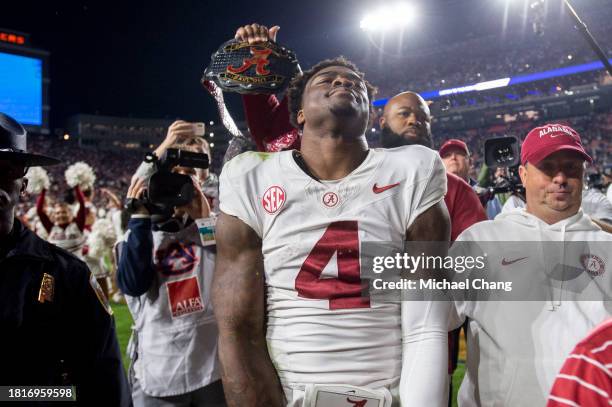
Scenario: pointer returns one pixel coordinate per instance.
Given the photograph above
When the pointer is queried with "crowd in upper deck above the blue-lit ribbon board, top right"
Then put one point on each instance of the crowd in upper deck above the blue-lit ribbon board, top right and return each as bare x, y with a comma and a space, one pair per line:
491, 57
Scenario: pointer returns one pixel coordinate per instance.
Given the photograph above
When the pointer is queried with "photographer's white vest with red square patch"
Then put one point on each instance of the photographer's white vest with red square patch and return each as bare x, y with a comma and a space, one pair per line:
174, 343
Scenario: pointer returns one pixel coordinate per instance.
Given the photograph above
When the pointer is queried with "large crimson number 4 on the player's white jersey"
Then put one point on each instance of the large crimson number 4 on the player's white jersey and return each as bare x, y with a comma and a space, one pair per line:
346, 291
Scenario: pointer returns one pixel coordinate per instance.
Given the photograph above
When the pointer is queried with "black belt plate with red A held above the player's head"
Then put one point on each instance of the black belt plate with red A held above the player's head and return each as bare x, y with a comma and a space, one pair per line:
252, 68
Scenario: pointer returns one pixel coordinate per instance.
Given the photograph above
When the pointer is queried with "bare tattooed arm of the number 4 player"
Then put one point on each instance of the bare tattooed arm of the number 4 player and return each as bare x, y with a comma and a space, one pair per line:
249, 378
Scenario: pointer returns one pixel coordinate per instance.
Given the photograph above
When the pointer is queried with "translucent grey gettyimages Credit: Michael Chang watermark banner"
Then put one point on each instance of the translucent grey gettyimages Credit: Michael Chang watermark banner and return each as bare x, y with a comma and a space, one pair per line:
489, 271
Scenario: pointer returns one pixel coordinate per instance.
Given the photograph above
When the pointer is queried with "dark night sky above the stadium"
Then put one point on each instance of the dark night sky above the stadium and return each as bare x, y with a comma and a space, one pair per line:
145, 59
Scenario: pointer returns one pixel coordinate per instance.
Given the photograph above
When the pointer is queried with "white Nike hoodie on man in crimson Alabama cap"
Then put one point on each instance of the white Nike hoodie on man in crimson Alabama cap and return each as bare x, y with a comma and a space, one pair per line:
515, 348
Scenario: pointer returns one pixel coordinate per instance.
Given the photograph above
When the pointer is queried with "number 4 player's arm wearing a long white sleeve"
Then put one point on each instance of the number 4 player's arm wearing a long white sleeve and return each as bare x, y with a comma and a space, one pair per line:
424, 323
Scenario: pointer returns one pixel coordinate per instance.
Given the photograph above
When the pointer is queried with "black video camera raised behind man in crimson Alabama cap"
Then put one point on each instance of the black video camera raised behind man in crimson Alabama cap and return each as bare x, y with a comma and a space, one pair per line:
504, 152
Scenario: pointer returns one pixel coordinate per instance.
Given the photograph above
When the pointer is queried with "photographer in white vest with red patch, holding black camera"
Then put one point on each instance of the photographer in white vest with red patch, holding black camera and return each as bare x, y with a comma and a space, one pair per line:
165, 270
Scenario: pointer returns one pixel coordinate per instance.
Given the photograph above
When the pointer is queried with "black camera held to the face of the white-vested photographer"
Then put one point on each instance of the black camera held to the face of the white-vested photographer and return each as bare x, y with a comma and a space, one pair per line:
166, 189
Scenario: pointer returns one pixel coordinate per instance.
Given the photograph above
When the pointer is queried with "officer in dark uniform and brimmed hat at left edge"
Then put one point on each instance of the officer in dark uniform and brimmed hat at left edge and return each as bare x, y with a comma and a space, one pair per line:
56, 327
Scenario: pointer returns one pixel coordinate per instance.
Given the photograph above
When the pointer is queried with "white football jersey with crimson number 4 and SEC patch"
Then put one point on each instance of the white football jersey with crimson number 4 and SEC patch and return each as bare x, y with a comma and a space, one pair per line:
321, 327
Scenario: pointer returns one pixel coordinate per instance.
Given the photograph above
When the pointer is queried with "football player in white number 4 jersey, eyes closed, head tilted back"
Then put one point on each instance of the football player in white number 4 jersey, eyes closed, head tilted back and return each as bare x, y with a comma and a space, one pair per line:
288, 295
